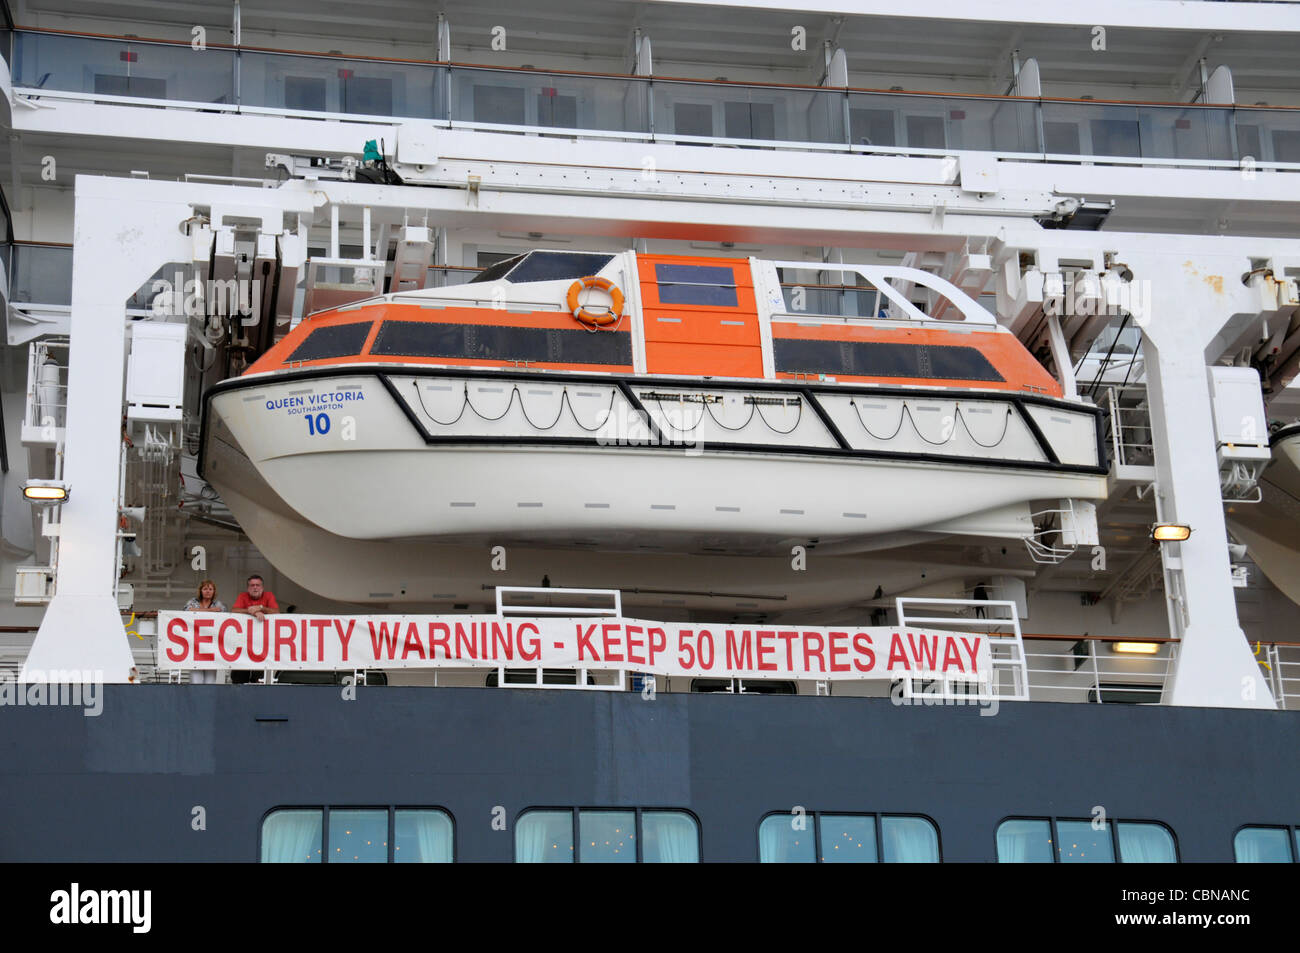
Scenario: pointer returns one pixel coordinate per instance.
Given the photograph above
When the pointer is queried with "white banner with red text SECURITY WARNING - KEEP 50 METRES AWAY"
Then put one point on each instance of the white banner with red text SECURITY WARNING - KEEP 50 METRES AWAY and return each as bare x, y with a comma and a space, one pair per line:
206, 640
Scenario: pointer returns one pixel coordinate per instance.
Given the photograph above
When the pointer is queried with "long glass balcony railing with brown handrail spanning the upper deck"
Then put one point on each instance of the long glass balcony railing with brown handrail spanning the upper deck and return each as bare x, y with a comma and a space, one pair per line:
49, 64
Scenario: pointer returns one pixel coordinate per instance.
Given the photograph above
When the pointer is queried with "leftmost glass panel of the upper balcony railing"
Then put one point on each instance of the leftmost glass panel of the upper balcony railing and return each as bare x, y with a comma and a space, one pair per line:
124, 68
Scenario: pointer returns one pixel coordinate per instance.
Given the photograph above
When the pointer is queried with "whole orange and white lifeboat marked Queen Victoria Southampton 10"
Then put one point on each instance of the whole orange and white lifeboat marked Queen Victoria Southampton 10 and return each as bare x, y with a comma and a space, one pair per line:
692, 414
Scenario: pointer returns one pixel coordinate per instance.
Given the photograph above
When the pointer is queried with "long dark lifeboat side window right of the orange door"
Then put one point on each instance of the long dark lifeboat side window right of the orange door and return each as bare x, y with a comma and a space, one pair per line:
883, 359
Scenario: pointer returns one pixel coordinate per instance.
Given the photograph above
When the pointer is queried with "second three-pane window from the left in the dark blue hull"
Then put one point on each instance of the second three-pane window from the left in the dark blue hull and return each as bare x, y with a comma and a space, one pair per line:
606, 837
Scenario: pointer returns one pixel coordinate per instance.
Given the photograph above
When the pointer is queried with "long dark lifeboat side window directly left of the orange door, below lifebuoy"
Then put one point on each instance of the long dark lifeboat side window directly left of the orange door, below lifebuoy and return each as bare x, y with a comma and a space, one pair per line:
501, 343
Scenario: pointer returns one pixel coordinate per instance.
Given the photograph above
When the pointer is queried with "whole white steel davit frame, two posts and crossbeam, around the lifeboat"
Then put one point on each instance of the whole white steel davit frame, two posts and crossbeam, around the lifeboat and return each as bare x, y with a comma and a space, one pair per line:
1195, 310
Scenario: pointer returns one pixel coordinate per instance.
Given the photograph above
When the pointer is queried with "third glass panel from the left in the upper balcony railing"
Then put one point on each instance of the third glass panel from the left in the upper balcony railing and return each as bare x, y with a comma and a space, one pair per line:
549, 101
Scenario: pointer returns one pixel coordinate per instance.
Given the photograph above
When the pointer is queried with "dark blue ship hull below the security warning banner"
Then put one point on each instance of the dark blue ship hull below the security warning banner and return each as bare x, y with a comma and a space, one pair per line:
124, 786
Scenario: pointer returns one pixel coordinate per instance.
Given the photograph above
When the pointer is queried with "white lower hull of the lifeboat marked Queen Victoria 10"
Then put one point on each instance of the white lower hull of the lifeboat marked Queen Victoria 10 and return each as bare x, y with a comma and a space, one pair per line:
444, 465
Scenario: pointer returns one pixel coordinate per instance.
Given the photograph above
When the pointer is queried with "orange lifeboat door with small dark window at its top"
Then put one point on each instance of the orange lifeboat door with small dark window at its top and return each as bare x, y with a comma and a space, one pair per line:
700, 317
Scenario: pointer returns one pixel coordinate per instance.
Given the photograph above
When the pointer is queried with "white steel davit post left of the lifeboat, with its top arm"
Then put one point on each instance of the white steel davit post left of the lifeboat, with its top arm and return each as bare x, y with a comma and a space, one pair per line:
125, 229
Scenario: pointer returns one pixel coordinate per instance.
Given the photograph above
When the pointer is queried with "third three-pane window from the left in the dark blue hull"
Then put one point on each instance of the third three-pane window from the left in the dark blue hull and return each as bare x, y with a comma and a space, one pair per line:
816, 838
